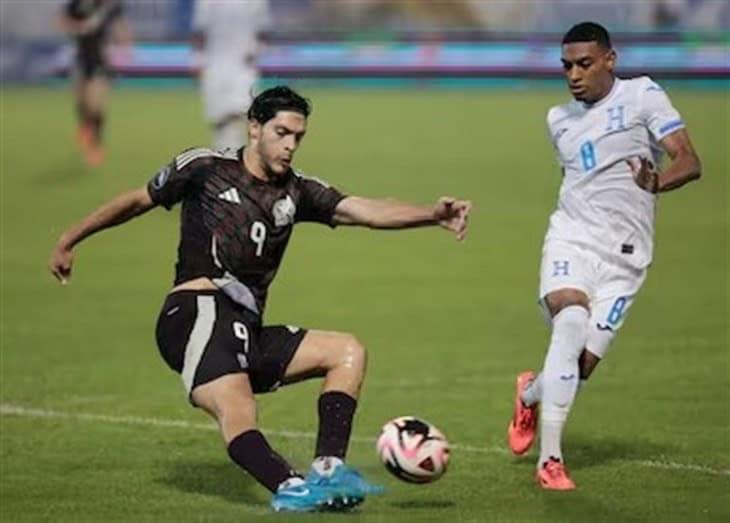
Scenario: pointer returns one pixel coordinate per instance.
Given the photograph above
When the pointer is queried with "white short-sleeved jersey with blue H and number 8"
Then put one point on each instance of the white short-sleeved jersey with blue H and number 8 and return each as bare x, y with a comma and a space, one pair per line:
600, 205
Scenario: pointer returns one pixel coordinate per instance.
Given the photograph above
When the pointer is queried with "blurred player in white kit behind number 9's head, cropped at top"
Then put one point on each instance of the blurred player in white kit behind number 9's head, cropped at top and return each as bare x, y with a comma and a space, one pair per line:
226, 36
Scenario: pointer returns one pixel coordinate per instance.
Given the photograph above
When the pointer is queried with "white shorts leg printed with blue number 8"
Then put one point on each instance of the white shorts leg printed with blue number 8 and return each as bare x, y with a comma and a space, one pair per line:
614, 297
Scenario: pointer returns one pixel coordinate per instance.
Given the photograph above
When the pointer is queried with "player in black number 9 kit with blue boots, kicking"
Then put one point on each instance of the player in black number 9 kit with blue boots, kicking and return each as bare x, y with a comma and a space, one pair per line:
238, 211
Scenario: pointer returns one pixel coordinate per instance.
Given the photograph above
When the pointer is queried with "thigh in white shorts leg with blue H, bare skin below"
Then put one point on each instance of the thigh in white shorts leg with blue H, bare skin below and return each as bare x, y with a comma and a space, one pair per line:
566, 277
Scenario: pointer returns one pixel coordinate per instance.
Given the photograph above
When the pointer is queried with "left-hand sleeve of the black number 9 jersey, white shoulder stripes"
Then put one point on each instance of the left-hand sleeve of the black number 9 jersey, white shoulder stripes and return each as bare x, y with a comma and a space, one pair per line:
180, 178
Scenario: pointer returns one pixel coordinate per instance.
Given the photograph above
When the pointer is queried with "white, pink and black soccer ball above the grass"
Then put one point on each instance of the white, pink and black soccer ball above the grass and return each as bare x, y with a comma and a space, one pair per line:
413, 450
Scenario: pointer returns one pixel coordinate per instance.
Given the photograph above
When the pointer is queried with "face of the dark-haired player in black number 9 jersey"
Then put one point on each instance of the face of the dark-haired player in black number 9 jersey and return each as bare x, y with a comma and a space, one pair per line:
278, 139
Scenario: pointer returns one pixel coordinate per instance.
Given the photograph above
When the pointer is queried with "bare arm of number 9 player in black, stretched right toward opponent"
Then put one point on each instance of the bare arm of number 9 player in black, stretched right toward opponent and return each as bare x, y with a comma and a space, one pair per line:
448, 212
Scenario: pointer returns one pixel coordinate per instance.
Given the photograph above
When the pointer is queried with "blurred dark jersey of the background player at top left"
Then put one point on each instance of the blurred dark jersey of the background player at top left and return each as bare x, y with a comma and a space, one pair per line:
106, 12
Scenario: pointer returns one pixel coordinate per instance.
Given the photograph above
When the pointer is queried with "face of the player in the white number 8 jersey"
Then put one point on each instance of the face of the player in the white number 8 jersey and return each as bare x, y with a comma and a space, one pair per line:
588, 69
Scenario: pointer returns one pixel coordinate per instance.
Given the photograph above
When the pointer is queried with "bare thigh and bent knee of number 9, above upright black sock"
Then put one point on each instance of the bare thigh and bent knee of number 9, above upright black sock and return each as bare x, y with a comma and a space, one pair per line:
321, 351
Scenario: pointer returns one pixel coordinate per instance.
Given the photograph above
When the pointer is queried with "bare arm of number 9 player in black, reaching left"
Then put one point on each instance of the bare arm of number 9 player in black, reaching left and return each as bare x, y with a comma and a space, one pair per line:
119, 210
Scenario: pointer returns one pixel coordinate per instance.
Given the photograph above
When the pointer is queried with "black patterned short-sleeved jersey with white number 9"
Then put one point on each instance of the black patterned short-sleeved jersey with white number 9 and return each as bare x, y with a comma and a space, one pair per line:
234, 226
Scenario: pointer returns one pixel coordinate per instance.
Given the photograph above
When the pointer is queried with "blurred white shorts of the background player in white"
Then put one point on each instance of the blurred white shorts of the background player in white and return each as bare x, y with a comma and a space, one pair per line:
227, 90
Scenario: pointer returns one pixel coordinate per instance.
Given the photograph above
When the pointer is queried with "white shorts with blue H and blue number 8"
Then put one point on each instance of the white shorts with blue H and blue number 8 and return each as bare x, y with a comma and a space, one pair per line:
610, 287
